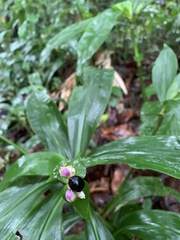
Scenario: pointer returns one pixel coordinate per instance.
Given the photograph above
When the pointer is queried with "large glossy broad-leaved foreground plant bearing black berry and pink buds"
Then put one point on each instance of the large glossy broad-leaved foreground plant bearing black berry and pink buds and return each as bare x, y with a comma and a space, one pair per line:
44, 194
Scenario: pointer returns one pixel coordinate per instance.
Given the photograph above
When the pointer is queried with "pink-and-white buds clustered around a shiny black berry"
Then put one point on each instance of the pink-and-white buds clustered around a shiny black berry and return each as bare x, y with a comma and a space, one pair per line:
75, 184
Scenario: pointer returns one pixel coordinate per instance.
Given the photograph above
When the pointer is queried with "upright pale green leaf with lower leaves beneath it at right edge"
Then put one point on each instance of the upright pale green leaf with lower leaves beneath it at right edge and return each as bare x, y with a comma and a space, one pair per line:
162, 117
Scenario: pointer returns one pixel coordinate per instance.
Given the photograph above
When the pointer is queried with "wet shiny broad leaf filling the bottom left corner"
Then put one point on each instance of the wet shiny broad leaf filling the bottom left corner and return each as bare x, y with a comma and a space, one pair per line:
15, 205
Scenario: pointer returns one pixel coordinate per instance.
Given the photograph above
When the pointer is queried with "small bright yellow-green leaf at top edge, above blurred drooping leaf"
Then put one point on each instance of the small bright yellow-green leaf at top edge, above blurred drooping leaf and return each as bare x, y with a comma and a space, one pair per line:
124, 8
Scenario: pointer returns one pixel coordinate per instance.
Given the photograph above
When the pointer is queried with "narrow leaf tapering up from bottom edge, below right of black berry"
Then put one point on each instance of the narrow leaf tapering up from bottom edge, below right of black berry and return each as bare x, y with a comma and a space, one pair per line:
96, 230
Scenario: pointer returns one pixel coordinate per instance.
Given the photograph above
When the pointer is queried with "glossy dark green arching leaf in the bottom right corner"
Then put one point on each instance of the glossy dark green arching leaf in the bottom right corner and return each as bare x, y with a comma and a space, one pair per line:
148, 224
